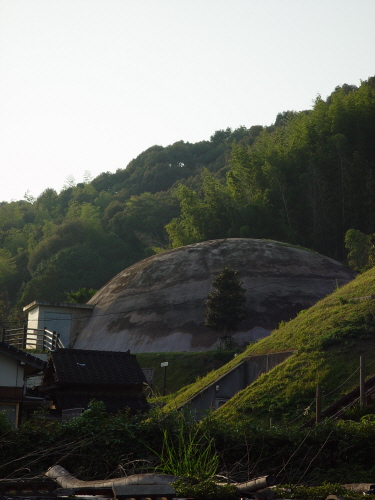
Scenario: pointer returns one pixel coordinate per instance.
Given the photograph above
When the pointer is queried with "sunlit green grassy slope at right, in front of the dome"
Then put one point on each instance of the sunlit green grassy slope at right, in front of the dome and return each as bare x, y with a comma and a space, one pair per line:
329, 336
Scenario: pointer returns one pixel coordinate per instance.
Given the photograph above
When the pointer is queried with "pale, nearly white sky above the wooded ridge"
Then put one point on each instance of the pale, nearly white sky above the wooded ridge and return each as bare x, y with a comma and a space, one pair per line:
90, 84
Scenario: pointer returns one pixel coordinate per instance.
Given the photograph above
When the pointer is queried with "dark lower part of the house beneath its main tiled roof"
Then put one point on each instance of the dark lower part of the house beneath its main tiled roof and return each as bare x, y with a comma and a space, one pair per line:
112, 402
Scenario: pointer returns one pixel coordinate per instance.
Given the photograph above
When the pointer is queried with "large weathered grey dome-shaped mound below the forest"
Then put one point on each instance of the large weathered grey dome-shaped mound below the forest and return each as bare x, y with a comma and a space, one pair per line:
157, 305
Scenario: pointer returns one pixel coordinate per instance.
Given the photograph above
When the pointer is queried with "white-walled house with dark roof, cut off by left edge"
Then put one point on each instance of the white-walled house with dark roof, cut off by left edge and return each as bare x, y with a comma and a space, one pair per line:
15, 368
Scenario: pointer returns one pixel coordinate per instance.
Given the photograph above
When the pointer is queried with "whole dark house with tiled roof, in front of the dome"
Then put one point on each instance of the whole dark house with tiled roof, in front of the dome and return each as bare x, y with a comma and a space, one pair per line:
73, 377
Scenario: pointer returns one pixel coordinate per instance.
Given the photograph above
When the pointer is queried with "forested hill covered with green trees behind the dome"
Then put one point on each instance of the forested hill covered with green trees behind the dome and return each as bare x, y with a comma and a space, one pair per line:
306, 180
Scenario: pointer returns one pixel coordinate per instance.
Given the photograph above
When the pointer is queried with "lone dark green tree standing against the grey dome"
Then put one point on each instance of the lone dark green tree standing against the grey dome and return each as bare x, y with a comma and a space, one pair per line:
226, 302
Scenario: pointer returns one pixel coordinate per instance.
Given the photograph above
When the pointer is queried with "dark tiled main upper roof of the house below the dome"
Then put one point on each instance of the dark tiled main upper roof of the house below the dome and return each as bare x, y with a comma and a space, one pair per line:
96, 368
